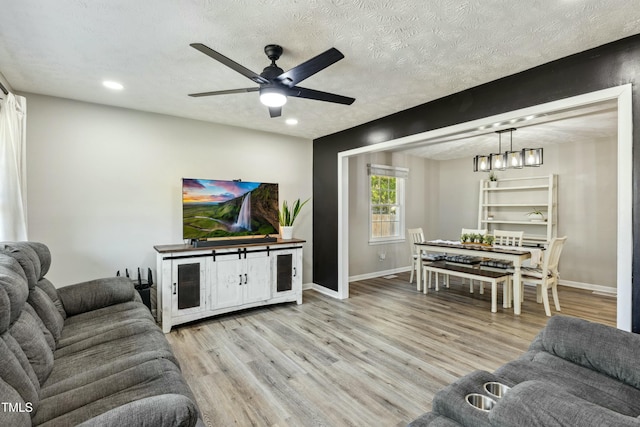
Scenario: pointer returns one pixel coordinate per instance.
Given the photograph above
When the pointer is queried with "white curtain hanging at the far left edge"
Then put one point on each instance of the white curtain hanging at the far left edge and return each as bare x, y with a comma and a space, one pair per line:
13, 171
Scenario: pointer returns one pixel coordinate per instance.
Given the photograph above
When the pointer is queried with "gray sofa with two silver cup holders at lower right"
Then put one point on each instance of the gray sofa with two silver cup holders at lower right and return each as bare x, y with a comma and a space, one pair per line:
576, 373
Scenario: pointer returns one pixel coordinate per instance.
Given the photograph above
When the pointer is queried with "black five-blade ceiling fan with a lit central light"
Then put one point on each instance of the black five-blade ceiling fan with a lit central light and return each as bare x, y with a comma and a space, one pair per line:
275, 84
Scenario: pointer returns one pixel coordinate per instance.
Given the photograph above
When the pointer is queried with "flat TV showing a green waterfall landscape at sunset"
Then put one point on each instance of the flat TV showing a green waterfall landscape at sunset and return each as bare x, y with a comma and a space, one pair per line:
221, 209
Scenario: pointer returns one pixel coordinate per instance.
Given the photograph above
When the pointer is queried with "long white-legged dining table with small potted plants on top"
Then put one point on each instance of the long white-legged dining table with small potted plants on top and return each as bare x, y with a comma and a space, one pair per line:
516, 256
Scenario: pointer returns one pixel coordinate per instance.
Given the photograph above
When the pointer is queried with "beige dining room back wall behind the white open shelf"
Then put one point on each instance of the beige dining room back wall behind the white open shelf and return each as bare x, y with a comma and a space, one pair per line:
587, 205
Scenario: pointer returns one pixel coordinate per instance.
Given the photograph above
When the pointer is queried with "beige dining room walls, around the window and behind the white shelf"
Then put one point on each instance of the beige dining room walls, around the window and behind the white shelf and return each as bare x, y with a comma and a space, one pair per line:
587, 213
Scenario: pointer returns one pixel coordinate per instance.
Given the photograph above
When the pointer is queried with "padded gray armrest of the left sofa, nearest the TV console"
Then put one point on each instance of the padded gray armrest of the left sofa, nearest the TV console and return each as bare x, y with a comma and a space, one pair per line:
95, 294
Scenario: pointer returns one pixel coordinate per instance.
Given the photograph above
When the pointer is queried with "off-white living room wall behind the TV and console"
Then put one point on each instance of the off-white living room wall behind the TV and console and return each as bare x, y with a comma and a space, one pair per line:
104, 183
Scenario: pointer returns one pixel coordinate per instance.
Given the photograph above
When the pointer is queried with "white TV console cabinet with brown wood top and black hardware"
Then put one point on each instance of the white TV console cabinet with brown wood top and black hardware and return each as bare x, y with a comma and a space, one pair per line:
195, 283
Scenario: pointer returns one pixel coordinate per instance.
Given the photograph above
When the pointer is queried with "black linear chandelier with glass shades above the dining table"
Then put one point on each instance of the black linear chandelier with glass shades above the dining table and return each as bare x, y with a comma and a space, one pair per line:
511, 159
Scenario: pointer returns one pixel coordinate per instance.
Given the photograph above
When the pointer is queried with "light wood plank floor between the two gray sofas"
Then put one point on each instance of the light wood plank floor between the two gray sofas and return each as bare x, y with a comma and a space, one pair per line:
375, 359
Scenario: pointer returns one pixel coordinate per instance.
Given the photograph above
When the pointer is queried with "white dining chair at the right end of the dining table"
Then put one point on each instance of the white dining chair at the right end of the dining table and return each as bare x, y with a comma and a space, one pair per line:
547, 276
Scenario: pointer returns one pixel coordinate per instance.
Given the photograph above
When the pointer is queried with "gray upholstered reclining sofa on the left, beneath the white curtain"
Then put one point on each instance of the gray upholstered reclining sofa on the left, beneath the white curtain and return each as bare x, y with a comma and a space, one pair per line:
88, 354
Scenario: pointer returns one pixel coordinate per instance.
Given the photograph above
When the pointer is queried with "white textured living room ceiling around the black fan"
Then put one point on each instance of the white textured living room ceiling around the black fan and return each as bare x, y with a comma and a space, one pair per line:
398, 53
